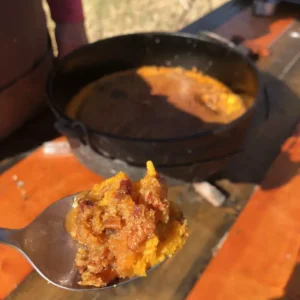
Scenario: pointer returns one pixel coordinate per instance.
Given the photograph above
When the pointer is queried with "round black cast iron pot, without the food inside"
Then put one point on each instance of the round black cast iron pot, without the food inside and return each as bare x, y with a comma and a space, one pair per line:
207, 52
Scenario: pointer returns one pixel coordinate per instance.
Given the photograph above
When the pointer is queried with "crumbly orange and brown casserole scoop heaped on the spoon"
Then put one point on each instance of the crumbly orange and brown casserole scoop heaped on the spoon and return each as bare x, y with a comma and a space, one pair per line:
124, 228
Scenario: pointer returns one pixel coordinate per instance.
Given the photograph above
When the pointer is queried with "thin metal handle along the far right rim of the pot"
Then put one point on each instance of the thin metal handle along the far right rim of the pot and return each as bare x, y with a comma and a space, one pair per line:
234, 43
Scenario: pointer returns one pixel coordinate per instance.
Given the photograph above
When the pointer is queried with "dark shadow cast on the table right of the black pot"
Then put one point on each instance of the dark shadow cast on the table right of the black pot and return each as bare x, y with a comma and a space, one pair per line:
265, 138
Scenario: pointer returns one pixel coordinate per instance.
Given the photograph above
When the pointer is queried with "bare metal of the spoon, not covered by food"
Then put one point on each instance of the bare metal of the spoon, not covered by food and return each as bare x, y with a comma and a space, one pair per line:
50, 249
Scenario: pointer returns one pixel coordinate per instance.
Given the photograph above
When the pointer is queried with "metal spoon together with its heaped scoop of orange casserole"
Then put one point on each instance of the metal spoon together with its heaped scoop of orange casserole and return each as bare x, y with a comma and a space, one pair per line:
117, 231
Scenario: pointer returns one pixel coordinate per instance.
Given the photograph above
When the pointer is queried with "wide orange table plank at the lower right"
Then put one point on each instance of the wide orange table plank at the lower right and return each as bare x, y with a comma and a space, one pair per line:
263, 246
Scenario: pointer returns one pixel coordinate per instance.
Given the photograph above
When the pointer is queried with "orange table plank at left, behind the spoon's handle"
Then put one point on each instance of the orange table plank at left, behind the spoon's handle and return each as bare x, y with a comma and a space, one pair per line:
46, 179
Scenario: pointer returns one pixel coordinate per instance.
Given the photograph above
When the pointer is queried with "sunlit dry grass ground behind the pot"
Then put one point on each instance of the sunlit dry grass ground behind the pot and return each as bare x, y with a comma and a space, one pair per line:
105, 18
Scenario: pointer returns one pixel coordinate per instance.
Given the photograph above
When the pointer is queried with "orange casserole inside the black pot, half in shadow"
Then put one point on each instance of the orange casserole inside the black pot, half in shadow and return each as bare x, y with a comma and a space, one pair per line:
155, 97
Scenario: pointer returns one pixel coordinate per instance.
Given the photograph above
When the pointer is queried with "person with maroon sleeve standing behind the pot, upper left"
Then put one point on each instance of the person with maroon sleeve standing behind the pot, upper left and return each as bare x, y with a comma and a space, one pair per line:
26, 55
